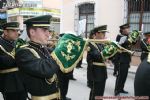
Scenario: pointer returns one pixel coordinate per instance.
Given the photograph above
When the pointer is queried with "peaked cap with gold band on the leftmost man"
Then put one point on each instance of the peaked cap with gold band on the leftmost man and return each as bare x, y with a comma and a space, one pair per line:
11, 25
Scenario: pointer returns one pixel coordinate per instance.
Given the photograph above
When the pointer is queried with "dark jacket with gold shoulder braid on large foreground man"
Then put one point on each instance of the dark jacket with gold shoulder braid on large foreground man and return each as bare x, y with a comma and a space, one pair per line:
36, 67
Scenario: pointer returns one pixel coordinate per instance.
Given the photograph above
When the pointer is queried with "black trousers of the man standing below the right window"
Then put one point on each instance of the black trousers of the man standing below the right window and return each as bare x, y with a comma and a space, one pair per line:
121, 77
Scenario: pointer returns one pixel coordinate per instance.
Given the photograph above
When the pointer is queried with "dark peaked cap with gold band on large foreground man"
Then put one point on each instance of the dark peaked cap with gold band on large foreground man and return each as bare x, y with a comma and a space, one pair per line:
40, 21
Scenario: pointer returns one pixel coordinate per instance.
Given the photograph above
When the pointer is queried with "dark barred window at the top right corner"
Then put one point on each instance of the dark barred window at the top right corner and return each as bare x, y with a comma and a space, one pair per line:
138, 15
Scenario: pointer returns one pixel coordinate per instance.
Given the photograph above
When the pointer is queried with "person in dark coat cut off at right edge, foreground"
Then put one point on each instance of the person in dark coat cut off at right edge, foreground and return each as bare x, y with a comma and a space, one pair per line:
142, 78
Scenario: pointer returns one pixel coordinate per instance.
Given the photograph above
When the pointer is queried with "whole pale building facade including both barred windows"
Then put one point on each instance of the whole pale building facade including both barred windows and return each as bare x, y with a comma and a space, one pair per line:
110, 12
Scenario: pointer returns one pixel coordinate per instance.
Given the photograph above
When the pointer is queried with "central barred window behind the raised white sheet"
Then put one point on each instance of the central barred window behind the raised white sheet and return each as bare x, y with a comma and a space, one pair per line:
86, 11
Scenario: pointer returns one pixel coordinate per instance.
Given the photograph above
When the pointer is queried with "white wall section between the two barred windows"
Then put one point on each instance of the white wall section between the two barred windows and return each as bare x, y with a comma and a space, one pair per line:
111, 13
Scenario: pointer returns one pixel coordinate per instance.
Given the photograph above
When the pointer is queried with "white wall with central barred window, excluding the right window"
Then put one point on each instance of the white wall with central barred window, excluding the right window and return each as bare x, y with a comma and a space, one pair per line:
95, 12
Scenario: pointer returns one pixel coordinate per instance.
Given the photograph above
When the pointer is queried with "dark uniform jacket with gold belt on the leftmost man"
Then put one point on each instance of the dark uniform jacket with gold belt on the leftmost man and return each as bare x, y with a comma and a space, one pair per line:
9, 81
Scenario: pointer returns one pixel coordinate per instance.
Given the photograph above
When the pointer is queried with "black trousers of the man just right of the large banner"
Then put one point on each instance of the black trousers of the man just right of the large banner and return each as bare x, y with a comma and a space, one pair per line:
97, 89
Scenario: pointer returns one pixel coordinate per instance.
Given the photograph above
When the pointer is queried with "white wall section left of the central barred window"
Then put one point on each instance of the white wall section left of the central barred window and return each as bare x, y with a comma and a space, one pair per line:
68, 14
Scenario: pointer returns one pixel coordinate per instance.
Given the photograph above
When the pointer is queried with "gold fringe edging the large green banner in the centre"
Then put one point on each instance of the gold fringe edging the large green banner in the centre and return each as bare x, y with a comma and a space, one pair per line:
67, 70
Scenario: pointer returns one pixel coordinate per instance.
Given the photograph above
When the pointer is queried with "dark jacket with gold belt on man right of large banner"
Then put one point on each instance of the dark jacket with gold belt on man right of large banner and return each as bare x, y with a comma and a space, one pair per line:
96, 67
